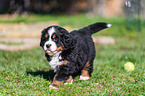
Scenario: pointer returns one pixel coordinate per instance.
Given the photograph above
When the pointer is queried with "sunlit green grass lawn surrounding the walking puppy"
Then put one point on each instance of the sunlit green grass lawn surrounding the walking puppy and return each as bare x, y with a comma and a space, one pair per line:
28, 72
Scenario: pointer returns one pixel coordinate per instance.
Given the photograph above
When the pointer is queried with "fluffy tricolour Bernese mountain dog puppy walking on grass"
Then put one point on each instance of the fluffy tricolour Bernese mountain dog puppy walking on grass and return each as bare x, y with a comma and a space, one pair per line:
70, 52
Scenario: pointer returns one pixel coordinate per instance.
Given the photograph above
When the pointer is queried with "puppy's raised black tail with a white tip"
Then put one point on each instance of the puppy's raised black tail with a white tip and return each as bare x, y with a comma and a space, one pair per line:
93, 28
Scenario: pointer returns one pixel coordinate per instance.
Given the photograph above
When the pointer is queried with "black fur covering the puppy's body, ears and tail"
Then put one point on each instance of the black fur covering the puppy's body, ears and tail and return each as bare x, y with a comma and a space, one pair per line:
78, 49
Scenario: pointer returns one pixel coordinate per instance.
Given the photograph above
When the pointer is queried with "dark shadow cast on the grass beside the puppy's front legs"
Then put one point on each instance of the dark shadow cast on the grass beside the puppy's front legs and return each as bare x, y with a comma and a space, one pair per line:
48, 75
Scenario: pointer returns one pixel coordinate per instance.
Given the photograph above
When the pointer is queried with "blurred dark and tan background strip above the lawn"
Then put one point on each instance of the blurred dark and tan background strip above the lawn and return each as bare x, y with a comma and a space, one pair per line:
100, 7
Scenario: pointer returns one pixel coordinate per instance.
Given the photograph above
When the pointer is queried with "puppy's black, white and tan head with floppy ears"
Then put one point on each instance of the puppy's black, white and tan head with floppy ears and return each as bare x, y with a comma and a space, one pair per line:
54, 39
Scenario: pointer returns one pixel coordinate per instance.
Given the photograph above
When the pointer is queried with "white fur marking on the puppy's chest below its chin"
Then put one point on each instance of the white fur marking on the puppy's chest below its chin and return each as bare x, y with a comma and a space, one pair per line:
55, 61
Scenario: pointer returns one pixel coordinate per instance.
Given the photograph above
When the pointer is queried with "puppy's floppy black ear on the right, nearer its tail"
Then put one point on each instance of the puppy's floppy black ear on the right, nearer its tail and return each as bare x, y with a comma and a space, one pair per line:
65, 38
